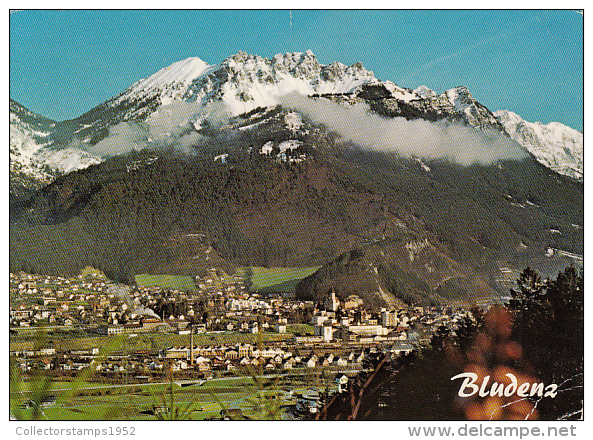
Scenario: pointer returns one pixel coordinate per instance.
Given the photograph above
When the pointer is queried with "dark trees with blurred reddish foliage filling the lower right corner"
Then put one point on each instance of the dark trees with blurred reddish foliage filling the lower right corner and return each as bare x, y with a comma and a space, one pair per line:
538, 335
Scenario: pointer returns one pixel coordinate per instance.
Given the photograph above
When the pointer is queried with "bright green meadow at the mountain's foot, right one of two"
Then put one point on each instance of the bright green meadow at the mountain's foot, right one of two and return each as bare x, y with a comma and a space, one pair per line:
279, 279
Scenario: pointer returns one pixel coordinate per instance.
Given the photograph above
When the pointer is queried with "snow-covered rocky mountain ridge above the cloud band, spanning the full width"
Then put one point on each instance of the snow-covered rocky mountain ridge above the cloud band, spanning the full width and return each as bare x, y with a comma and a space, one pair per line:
41, 148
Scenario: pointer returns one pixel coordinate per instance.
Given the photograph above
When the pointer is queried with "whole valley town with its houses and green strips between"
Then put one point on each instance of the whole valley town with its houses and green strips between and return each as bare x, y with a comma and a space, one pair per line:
216, 331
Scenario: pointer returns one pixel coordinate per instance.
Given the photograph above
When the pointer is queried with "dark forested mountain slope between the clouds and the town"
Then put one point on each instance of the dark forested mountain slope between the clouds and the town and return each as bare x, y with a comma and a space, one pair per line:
140, 213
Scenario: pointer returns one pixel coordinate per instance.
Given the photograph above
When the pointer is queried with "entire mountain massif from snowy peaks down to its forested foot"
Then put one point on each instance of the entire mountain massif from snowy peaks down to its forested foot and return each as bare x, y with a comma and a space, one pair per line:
399, 194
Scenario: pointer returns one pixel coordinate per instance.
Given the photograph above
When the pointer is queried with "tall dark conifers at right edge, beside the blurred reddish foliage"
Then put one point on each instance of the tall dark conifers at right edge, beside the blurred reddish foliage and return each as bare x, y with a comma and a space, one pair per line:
549, 326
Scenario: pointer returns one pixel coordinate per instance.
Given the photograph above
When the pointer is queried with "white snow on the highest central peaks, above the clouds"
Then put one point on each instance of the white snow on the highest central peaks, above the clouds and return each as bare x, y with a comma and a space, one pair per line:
244, 82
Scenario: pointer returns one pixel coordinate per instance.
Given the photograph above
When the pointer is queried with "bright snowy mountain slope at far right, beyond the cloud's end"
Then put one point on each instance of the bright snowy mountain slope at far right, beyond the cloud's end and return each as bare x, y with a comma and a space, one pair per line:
554, 145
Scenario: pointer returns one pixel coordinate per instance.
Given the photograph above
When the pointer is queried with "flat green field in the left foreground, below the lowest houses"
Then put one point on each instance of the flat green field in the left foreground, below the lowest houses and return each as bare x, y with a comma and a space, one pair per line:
135, 402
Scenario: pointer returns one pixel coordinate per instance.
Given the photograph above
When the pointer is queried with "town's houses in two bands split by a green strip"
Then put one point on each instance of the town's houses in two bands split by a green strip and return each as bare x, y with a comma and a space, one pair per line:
220, 303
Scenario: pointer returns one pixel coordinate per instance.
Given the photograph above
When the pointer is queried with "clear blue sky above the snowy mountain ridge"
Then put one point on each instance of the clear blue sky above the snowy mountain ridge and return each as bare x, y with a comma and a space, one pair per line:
63, 63
